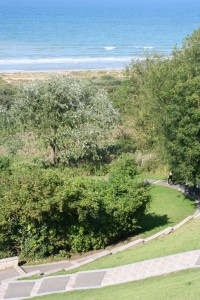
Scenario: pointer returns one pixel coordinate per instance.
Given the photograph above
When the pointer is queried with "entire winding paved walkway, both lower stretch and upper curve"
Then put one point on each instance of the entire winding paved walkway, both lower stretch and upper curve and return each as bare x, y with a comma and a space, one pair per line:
12, 289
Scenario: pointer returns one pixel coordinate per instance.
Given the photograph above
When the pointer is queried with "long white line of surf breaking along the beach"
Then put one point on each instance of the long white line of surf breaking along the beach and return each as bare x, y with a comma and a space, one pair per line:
64, 60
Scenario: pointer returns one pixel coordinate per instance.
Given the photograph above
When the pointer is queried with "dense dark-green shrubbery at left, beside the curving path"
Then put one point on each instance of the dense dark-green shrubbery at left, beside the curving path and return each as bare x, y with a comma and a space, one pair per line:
46, 212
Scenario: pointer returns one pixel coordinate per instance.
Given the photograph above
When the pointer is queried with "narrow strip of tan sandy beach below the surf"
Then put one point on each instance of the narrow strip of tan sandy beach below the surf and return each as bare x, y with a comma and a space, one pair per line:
27, 76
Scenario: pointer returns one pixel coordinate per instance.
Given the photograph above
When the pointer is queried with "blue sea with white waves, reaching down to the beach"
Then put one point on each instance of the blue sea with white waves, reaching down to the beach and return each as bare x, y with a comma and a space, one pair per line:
44, 35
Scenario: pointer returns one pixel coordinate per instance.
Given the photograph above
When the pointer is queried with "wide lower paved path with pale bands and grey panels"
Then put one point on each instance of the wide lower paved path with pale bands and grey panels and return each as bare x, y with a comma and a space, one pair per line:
100, 278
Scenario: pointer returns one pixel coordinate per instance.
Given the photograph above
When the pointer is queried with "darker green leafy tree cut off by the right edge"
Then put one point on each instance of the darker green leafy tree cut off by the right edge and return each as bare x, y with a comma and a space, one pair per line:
181, 126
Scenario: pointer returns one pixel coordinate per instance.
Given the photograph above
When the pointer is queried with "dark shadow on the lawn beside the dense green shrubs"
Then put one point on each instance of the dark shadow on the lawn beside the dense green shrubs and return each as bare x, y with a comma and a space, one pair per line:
151, 221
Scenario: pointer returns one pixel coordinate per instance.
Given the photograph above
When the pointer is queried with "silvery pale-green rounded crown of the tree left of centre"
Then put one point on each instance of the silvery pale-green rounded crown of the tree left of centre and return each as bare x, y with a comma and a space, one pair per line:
70, 116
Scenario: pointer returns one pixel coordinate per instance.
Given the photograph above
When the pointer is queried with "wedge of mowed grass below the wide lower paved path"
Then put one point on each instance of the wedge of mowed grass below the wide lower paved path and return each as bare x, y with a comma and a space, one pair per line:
182, 285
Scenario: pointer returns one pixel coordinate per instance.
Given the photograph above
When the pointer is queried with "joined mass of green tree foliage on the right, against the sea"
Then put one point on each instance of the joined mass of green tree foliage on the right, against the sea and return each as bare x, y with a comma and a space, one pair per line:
164, 95
